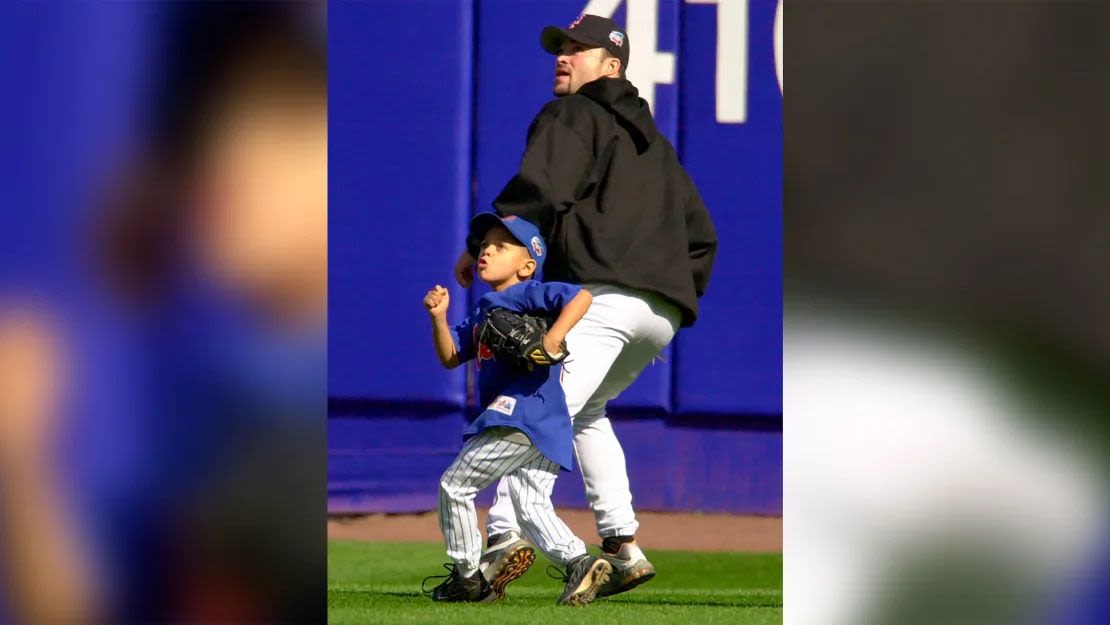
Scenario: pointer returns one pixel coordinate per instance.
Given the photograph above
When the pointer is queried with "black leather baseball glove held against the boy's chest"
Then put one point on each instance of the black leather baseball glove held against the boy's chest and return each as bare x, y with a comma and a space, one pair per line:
518, 340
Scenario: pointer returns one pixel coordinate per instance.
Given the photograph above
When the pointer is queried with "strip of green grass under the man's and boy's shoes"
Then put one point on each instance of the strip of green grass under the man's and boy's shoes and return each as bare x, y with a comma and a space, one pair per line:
380, 583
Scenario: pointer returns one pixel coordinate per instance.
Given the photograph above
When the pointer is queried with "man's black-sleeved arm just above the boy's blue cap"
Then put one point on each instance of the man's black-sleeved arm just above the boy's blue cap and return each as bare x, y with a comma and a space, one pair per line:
556, 163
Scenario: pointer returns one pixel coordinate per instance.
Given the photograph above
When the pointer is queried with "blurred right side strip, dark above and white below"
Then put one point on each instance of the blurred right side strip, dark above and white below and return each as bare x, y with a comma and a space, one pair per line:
947, 355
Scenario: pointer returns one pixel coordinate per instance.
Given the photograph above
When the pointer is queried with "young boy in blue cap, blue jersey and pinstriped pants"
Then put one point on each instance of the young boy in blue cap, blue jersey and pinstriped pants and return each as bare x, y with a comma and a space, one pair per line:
523, 434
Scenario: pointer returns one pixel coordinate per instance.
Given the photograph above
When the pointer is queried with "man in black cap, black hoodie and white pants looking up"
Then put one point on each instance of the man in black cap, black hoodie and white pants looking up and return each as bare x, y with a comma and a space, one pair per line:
623, 219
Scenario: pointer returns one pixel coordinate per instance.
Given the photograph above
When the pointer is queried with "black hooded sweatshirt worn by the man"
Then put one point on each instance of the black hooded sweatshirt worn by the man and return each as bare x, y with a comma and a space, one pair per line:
611, 198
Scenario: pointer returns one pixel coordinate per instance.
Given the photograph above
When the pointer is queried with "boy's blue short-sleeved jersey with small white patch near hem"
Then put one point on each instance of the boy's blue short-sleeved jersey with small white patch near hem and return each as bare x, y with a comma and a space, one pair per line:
533, 401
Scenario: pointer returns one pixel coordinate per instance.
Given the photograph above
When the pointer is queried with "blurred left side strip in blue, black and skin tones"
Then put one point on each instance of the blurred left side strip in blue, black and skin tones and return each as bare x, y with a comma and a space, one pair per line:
164, 312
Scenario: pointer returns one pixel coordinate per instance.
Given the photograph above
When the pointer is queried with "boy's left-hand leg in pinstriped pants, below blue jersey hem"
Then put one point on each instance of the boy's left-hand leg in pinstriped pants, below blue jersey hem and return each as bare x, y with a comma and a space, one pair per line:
483, 459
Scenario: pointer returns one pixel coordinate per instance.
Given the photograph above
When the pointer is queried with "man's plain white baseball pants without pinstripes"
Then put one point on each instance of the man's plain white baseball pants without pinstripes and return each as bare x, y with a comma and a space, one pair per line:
621, 334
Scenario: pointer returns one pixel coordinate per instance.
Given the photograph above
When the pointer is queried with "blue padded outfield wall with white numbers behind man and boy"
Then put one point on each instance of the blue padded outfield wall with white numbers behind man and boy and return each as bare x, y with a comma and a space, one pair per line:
428, 123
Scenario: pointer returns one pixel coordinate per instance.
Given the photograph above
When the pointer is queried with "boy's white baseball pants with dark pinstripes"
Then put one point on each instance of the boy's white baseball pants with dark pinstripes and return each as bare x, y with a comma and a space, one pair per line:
529, 477
